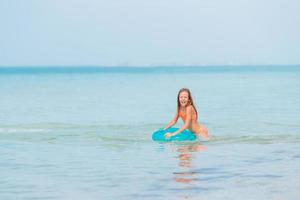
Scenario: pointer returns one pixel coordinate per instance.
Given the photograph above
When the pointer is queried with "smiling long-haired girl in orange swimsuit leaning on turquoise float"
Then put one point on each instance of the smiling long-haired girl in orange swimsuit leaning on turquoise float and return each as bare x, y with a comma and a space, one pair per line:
188, 113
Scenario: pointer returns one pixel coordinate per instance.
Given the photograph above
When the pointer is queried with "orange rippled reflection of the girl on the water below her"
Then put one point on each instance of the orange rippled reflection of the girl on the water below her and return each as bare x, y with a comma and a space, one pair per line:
187, 178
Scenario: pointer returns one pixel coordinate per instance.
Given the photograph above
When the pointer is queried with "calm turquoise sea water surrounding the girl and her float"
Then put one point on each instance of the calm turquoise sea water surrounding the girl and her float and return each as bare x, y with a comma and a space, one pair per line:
85, 133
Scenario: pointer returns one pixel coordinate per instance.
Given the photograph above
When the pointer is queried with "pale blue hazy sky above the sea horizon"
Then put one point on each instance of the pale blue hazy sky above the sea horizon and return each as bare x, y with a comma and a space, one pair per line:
143, 33
